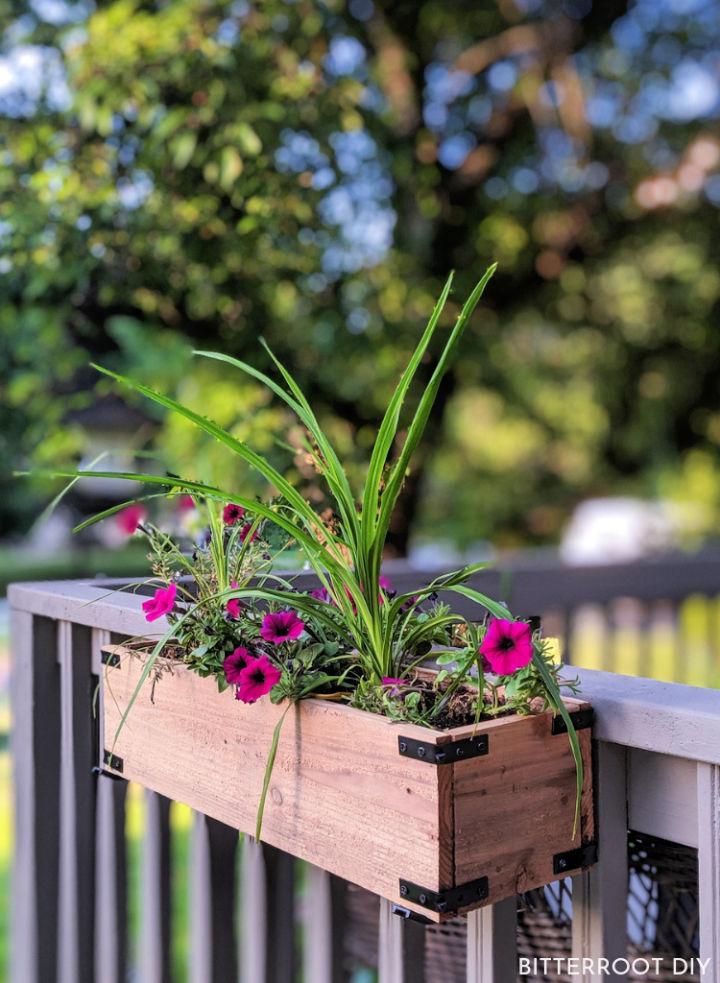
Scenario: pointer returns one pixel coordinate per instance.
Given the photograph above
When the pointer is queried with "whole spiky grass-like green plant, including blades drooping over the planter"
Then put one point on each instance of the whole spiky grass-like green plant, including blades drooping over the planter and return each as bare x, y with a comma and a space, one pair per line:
383, 635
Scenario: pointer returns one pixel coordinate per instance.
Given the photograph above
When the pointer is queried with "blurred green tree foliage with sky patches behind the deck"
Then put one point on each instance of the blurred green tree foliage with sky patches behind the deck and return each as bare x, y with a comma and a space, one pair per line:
194, 173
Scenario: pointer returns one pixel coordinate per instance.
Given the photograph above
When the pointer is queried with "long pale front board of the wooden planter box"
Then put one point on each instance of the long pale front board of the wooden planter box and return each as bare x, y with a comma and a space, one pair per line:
186, 741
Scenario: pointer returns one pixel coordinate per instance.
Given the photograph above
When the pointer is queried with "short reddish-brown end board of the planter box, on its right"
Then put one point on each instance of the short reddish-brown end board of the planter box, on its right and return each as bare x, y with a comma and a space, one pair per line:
516, 812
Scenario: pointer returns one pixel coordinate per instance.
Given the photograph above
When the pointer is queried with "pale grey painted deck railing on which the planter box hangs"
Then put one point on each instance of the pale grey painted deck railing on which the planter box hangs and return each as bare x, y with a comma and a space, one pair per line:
658, 768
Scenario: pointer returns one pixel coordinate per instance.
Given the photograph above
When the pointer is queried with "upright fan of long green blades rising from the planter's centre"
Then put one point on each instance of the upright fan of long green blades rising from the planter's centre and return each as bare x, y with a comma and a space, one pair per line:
347, 554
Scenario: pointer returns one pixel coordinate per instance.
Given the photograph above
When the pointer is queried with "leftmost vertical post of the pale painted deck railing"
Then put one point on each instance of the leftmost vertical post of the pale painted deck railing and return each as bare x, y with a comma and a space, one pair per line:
35, 683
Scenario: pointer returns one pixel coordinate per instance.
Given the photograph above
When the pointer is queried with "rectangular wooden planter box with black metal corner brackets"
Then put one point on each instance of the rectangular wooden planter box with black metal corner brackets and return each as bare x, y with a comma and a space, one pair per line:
440, 822
